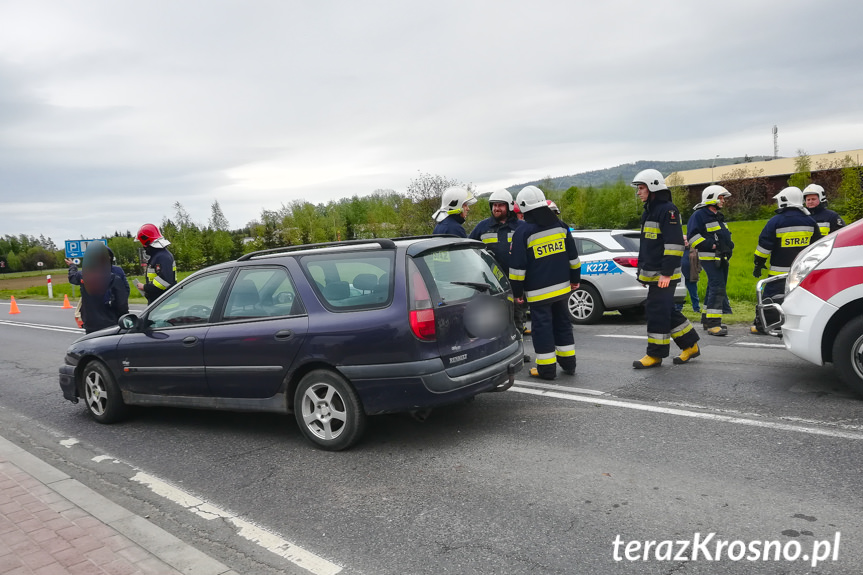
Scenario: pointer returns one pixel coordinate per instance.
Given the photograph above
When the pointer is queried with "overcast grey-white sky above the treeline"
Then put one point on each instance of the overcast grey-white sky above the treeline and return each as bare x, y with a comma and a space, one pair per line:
112, 110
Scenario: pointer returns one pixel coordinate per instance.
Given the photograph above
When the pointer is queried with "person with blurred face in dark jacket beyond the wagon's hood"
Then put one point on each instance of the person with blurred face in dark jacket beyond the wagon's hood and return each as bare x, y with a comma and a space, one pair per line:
104, 297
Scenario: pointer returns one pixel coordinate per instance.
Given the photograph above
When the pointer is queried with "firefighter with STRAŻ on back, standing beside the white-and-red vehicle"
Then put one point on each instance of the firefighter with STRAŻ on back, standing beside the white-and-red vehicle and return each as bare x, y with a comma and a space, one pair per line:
786, 234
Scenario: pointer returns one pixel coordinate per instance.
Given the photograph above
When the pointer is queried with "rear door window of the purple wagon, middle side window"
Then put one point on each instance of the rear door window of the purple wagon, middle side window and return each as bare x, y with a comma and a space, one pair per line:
262, 292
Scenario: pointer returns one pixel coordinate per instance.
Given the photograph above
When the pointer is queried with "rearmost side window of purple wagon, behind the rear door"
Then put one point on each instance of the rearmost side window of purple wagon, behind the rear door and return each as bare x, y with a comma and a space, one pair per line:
351, 280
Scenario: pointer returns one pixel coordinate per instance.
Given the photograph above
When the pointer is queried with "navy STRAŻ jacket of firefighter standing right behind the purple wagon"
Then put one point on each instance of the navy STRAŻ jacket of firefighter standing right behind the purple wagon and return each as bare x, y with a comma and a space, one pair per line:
543, 262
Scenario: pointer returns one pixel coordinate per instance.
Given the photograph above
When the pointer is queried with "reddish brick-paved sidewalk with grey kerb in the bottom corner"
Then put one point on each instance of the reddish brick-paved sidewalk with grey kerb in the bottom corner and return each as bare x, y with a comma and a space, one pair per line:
51, 524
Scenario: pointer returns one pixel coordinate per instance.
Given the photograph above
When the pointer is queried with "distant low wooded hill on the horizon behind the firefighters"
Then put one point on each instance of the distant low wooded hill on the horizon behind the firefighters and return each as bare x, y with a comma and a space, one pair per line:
598, 178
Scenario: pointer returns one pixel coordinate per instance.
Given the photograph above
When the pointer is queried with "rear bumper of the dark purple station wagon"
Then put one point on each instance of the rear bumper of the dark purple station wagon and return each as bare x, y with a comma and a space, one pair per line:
389, 388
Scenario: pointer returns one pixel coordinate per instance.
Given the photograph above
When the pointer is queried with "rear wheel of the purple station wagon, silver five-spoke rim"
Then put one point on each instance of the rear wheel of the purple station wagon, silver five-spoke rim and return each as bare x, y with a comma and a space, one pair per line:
328, 410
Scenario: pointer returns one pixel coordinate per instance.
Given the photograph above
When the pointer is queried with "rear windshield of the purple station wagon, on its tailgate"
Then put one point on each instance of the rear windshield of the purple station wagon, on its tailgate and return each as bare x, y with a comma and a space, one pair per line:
460, 274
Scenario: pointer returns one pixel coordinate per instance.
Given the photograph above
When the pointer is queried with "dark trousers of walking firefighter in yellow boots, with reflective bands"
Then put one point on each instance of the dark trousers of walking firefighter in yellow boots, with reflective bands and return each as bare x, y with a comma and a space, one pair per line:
665, 323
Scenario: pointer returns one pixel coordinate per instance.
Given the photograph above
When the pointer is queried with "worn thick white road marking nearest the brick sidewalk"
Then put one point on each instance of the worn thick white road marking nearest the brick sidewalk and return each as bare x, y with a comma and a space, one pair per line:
266, 539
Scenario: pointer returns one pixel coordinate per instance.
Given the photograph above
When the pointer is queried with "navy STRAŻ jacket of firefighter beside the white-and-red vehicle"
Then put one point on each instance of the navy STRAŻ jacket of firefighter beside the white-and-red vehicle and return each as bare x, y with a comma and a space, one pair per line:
785, 235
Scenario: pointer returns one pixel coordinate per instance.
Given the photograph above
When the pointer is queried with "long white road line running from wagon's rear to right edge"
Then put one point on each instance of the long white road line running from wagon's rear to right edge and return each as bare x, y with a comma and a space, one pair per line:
694, 414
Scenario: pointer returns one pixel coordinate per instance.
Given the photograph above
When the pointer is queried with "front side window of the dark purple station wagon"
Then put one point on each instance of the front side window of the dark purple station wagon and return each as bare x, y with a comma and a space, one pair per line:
190, 304
